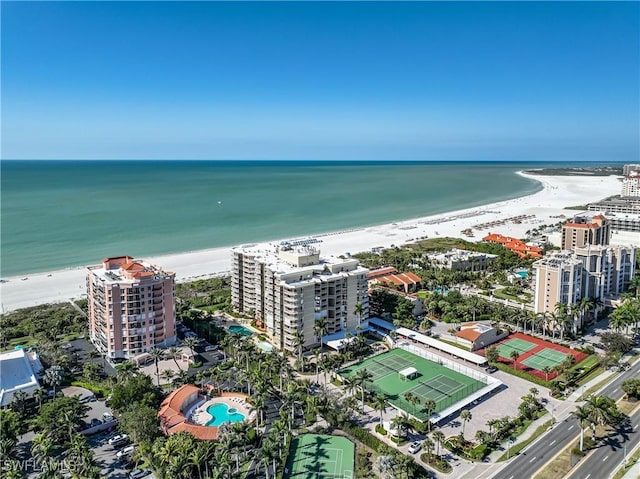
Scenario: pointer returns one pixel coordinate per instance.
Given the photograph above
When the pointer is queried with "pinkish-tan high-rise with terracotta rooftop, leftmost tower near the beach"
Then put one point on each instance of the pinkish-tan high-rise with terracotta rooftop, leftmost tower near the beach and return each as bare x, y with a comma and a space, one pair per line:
131, 307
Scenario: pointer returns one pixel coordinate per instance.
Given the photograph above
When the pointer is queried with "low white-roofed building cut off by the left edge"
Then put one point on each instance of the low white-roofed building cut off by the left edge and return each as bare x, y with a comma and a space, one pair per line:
18, 372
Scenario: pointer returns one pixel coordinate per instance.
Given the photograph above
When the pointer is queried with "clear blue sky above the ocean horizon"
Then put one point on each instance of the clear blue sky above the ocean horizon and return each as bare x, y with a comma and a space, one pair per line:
304, 80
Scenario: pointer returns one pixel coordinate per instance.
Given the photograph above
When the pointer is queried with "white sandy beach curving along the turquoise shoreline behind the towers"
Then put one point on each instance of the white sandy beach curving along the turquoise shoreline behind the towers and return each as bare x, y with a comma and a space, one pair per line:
546, 206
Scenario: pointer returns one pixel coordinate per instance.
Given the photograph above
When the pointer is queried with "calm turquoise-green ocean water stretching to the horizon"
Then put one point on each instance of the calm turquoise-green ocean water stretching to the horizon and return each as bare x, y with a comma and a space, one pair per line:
59, 214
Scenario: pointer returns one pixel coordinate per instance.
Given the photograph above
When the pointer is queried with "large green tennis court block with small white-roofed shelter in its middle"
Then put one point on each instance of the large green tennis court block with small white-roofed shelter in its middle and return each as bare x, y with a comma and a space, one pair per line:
433, 382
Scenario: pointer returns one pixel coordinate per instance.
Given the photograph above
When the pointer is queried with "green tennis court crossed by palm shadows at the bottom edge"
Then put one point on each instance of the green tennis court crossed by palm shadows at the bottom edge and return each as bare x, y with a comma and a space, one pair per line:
314, 456
